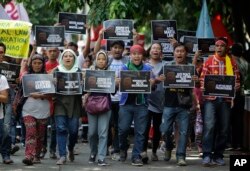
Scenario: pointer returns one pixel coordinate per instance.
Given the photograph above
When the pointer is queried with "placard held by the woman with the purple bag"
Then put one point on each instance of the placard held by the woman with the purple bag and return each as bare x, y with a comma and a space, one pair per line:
99, 81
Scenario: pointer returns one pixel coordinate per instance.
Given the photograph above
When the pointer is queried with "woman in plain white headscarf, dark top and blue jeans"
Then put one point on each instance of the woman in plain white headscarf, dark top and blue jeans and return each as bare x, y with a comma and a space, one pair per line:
67, 110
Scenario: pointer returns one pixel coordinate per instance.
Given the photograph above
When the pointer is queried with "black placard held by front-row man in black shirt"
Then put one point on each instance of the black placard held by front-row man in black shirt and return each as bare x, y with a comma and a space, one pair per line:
178, 76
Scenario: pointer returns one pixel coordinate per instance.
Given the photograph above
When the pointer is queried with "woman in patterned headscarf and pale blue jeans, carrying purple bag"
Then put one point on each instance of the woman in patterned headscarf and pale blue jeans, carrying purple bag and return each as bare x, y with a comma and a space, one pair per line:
99, 123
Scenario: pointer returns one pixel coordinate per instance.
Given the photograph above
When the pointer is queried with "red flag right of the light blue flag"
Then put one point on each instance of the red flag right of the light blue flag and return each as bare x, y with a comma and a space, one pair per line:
220, 30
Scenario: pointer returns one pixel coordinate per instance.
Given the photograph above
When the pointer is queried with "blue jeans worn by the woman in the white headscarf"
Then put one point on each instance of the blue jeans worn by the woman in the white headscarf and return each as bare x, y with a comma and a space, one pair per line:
65, 126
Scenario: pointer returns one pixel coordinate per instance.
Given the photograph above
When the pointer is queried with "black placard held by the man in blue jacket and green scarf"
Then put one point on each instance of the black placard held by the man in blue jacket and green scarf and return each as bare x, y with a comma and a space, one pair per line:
135, 82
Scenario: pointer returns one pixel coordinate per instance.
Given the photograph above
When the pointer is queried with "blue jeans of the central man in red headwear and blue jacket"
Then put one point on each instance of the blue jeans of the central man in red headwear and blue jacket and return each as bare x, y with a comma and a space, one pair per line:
127, 114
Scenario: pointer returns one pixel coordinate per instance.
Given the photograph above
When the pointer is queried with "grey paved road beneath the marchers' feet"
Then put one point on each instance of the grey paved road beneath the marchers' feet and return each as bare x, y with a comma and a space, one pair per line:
81, 163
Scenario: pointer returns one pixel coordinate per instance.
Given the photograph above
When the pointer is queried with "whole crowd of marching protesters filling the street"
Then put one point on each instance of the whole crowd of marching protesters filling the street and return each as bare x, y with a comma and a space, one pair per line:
162, 111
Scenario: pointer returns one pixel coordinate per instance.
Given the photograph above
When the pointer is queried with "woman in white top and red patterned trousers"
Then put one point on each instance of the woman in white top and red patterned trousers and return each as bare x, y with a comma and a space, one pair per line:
35, 113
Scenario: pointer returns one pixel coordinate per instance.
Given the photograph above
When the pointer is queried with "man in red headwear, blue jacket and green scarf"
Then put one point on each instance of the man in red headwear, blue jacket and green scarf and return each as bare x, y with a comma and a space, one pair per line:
133, 107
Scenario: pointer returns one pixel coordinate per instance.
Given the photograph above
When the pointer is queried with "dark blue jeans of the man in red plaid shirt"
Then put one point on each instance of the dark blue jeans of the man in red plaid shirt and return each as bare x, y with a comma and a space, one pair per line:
216, 115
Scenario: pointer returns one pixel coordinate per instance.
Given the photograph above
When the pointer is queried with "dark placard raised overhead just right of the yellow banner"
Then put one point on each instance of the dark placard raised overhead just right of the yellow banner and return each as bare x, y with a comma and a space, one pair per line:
50, 36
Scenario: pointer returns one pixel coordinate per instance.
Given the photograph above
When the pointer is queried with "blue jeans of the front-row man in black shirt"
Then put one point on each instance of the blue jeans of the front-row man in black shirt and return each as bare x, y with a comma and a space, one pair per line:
181, 116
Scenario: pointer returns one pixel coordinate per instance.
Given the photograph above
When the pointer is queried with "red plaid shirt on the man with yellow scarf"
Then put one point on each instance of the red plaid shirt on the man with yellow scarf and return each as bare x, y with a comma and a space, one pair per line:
215, 65
